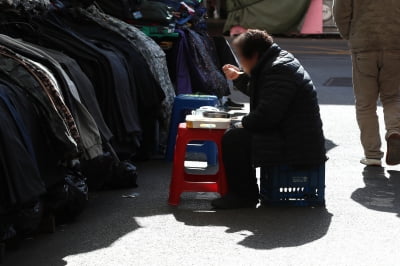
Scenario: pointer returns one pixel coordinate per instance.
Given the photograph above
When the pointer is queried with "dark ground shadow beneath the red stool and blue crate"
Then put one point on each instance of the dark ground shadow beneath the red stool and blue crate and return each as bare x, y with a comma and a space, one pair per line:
265, 228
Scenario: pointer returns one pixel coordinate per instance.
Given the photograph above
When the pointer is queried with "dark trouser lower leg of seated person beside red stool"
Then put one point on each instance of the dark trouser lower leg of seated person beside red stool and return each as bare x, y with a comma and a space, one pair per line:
237, 157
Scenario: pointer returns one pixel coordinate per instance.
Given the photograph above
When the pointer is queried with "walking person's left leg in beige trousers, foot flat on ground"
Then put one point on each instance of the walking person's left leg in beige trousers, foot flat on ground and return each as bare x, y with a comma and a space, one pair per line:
366, 90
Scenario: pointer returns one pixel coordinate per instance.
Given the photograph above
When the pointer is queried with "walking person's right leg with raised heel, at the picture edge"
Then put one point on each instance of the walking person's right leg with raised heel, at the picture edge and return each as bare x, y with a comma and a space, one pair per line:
389, 81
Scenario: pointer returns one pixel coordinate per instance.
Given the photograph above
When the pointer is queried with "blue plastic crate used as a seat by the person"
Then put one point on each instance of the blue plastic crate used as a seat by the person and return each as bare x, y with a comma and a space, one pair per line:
293, 186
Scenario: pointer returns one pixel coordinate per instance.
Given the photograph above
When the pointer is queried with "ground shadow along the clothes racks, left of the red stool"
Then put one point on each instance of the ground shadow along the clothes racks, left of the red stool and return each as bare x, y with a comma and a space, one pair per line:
108, 217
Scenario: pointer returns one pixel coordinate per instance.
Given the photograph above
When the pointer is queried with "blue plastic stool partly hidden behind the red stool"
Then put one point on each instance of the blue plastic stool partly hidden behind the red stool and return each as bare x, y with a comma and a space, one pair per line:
184, 104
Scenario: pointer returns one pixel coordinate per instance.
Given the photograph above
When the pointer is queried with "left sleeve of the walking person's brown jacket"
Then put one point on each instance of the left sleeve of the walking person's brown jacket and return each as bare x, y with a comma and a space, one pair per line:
343, 13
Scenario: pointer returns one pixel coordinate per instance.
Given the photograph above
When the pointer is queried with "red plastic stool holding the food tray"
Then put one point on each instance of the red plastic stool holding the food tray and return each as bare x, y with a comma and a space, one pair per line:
184, 182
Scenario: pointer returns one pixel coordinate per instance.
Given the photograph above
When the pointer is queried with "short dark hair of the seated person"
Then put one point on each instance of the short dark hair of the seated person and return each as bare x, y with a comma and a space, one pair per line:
253, 42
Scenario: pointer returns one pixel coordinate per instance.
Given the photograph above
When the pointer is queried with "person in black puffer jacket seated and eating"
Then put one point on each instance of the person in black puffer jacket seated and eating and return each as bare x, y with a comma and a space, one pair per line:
284, 124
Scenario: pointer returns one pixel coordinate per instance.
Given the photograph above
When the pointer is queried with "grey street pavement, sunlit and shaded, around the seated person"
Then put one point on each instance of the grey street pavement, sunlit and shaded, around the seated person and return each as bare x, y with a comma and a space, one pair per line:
360, 225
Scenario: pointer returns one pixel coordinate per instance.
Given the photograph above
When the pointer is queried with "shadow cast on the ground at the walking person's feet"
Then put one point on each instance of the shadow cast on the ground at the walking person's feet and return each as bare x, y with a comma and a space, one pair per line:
381, 191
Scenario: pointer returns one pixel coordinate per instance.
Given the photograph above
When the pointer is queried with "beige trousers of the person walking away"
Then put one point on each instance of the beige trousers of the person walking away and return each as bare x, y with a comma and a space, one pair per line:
376, 75
